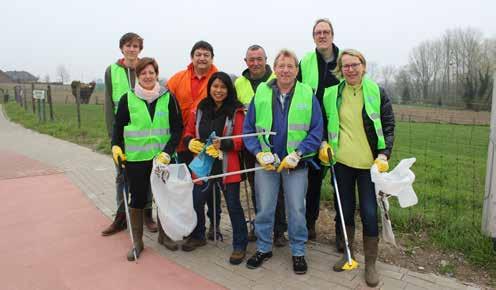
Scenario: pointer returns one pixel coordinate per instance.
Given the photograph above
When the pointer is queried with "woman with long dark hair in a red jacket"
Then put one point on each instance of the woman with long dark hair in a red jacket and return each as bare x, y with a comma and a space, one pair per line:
221, 112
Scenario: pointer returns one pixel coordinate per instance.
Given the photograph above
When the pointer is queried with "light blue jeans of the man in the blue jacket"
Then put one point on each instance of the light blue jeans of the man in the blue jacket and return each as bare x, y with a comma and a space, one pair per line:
294, 183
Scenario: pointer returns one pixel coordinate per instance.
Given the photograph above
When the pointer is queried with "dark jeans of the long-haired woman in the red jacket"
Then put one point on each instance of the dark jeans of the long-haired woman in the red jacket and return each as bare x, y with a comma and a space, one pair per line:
236, 213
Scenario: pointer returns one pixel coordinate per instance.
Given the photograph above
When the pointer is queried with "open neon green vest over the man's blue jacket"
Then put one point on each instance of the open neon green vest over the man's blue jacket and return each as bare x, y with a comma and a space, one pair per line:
299, 115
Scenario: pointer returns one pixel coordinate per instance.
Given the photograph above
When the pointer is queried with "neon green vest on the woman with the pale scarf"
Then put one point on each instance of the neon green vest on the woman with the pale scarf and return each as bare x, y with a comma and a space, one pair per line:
144, 139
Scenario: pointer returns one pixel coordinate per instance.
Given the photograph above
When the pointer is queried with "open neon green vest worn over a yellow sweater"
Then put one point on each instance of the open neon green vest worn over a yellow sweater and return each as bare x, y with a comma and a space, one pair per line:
372, 103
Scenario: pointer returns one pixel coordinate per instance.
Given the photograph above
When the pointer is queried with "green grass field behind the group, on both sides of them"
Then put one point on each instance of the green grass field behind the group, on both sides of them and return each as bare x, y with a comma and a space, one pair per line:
450, 174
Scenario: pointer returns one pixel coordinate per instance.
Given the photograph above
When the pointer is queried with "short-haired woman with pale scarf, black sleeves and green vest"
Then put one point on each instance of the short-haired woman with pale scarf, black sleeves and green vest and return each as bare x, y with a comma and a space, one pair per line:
147, 125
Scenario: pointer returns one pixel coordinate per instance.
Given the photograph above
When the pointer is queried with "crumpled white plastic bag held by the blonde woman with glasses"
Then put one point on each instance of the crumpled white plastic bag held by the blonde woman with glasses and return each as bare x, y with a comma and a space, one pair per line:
398, 182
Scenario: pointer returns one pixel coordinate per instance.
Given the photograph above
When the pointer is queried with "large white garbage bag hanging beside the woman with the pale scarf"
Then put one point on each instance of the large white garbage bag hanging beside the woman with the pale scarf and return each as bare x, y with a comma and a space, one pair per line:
173, 192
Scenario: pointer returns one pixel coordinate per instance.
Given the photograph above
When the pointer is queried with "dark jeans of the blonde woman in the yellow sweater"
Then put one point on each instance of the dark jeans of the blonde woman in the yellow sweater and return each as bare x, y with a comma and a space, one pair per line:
348, 178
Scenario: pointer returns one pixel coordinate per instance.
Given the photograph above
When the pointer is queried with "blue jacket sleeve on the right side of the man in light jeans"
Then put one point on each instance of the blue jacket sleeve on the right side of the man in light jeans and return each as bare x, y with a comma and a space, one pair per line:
312, 142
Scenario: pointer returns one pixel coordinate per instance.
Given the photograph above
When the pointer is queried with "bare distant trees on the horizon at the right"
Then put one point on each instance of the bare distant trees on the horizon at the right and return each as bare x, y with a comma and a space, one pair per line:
455, 70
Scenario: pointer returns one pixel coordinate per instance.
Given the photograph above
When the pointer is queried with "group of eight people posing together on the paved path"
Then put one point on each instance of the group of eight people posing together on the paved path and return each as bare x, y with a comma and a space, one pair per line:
324, 110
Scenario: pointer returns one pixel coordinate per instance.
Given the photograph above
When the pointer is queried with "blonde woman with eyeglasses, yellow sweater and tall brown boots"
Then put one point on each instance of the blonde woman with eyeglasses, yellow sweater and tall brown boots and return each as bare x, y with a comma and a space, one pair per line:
360, 131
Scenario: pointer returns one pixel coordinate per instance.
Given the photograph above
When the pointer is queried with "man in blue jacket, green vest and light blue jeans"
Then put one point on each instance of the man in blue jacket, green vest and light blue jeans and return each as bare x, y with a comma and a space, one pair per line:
288, 107
